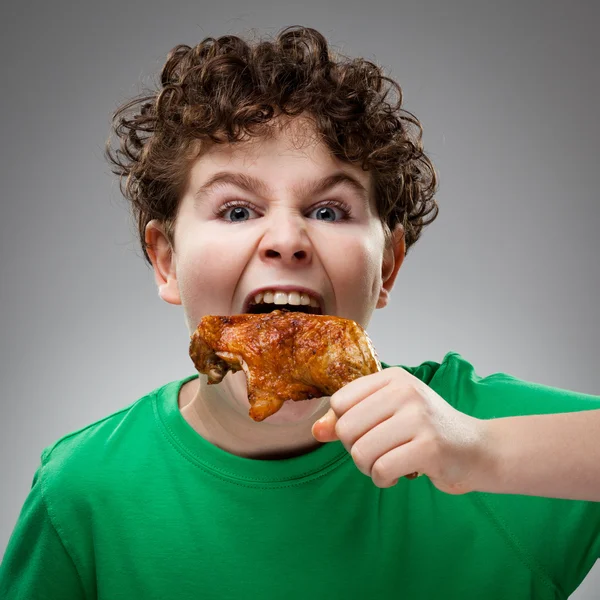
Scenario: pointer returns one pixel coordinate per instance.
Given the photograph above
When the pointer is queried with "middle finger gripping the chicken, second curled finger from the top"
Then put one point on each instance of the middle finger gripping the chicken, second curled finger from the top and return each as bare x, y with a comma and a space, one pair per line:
366, 415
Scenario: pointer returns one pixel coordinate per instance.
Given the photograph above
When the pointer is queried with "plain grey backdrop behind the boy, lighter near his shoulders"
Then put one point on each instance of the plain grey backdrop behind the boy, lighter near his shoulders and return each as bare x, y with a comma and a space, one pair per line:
508, 274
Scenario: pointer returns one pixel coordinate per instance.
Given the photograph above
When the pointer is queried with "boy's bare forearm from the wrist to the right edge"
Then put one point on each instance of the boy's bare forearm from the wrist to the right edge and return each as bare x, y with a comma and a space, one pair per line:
556, 456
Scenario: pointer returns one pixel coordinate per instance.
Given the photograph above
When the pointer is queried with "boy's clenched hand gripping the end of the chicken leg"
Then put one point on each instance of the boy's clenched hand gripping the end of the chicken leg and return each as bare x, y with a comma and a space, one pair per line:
394, 425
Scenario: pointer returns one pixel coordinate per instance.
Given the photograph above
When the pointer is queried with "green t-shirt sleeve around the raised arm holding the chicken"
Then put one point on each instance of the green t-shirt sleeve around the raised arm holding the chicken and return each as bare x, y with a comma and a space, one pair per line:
559, 537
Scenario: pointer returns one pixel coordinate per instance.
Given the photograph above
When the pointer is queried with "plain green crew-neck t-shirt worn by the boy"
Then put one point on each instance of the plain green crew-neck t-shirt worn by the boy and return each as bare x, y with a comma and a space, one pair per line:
138, 505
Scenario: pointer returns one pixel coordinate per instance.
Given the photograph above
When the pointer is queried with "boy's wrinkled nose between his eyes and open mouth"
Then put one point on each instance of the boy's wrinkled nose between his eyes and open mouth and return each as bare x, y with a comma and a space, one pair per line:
286, 240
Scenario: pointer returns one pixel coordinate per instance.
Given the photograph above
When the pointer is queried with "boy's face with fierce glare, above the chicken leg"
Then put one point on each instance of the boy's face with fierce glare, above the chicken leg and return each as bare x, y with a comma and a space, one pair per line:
231, 241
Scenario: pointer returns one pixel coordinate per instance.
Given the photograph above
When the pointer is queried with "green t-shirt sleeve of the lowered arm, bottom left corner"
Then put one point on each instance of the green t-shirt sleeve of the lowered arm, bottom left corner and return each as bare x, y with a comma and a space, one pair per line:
36, 564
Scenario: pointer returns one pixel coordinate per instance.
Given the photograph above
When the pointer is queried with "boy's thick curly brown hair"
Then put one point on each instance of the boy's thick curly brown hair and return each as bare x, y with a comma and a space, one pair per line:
228, 89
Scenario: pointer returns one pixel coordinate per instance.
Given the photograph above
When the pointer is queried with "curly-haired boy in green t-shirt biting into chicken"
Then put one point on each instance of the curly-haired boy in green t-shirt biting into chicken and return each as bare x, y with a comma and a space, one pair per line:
246, 178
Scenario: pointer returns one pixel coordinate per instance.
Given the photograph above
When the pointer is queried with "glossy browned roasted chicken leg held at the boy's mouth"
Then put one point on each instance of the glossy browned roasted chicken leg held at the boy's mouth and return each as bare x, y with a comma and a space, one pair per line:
285, 355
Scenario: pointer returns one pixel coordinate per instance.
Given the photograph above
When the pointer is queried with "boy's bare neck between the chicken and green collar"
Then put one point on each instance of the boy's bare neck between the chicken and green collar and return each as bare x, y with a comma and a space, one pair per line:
219, 413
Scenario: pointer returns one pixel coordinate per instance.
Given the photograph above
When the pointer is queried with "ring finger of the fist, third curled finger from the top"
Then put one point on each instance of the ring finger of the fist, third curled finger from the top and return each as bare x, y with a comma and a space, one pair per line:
380, 440
